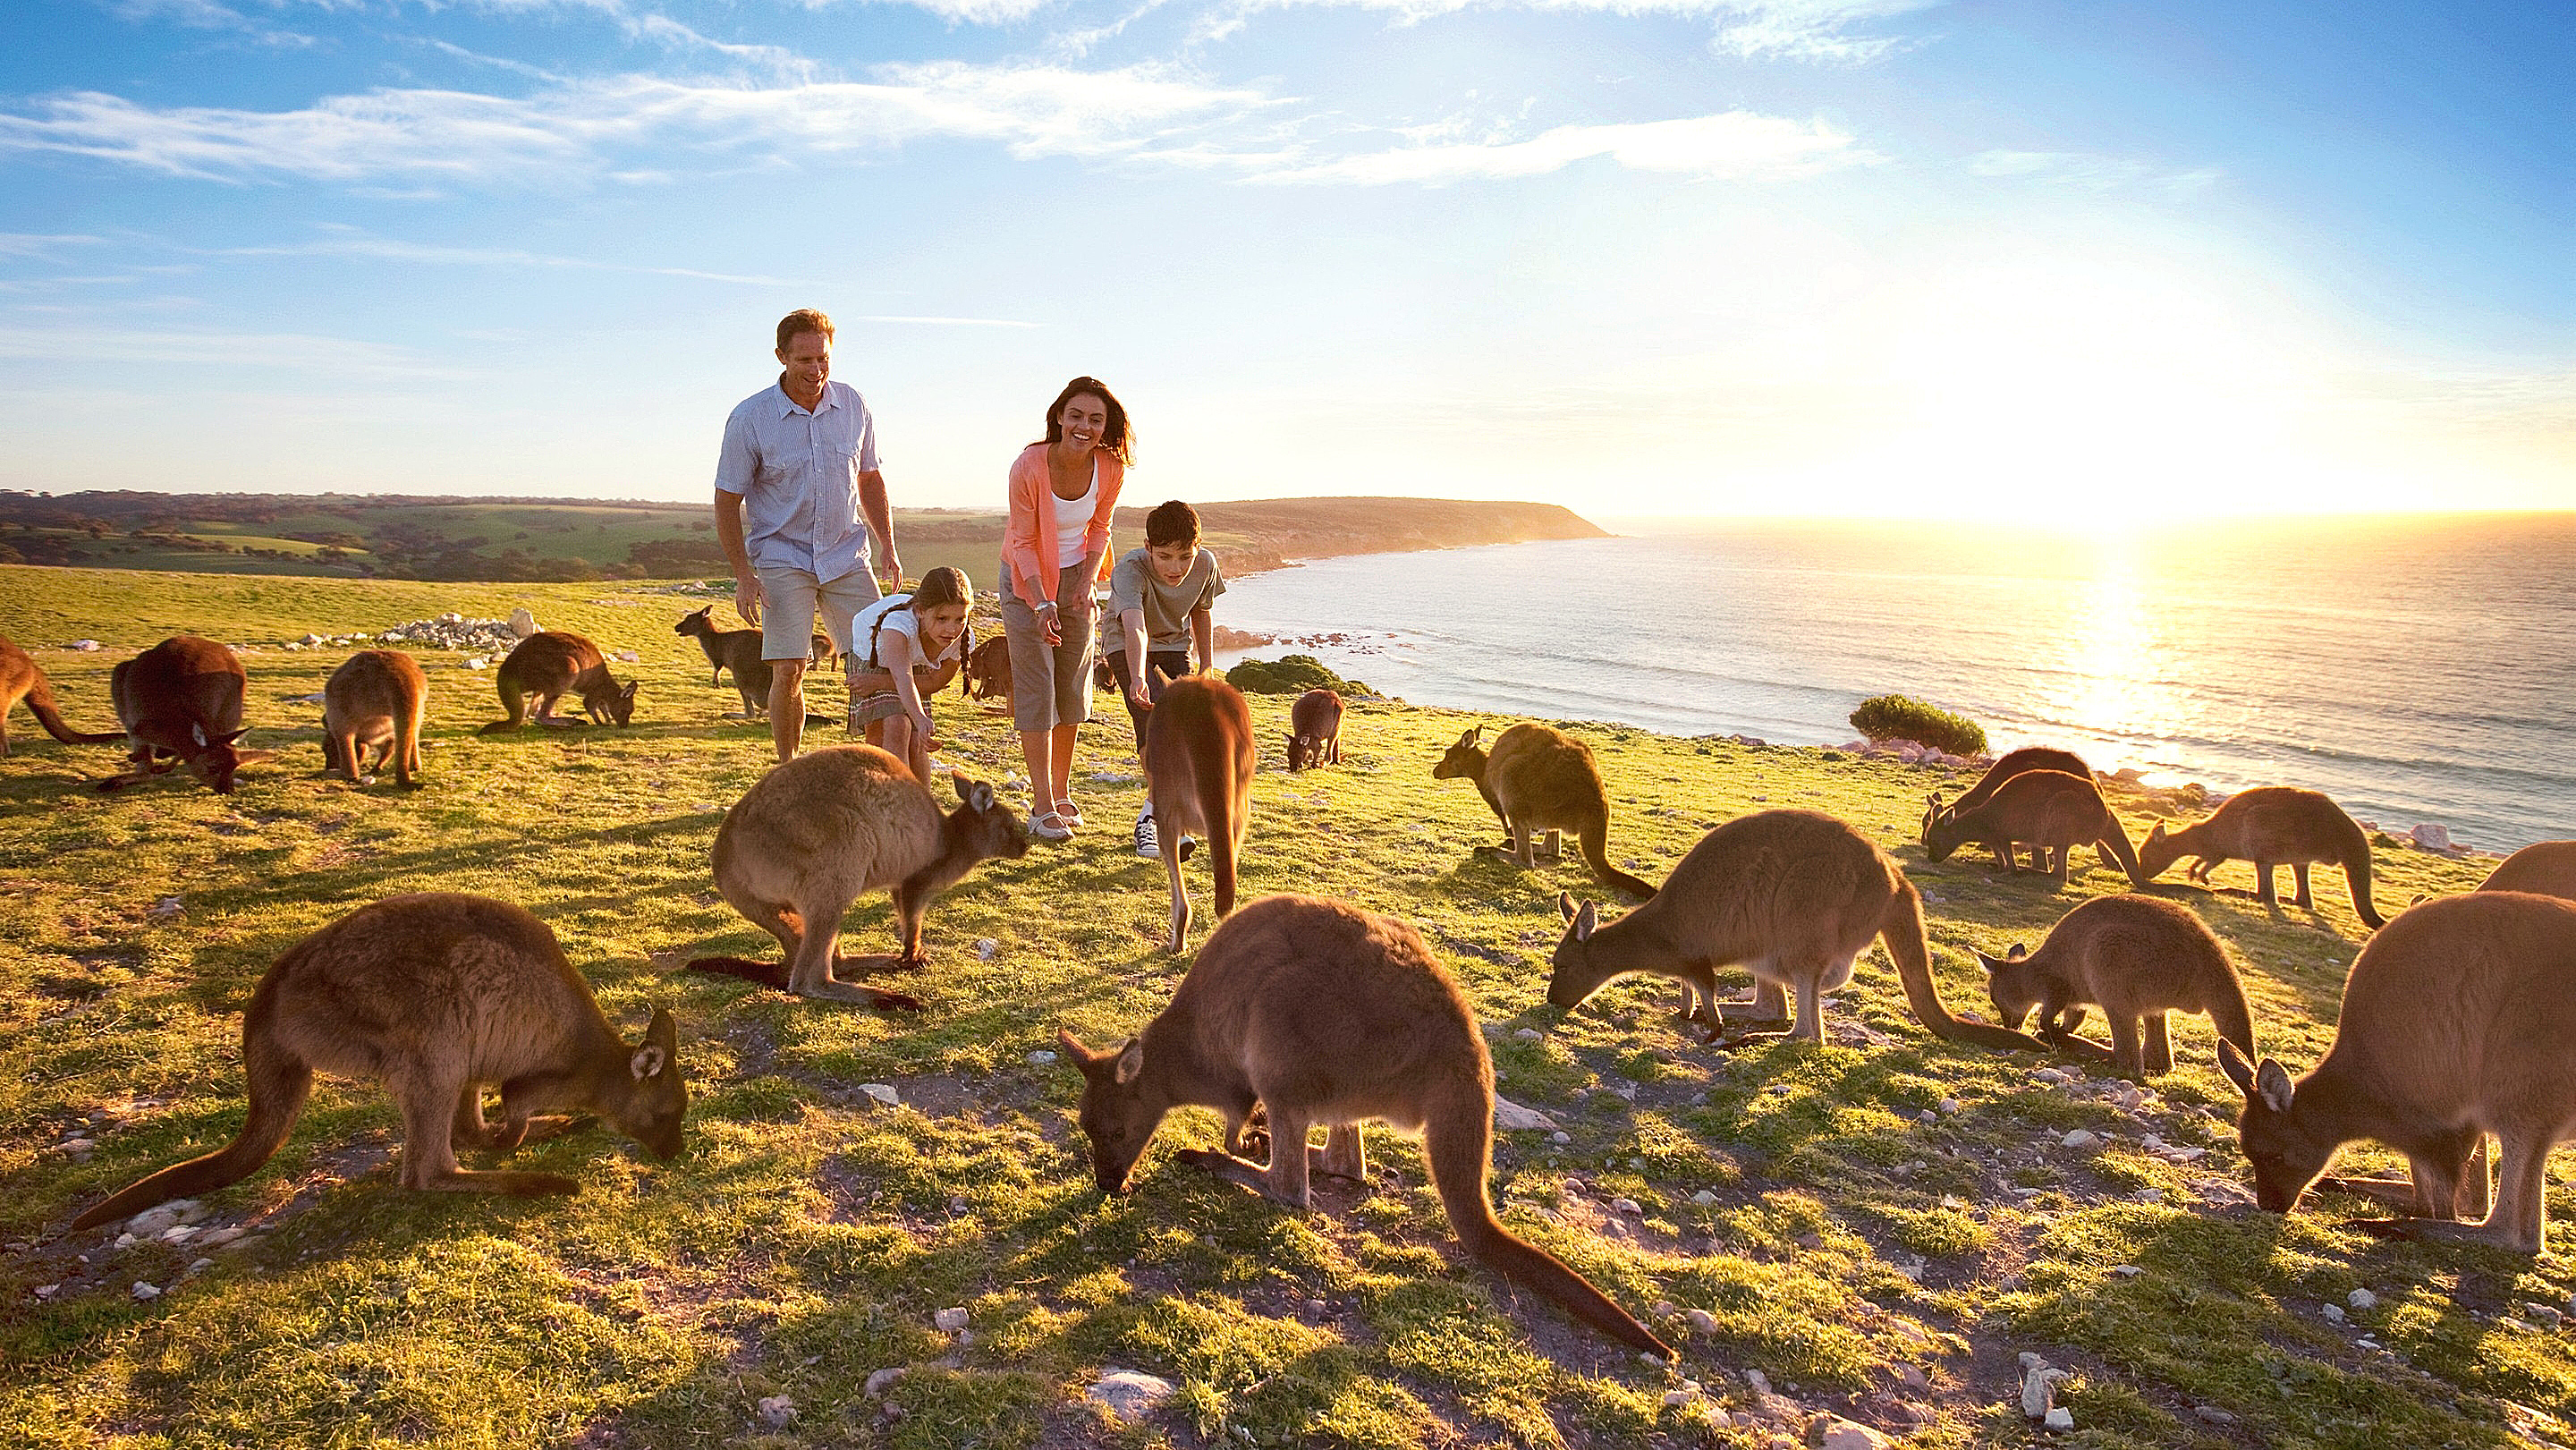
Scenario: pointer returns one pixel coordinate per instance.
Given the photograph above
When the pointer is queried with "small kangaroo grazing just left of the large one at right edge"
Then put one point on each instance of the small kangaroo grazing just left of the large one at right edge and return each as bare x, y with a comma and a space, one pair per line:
2132, 957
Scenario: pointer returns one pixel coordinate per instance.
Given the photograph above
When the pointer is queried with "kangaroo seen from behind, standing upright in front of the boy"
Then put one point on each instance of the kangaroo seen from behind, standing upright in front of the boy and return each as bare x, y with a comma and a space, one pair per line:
1199, 777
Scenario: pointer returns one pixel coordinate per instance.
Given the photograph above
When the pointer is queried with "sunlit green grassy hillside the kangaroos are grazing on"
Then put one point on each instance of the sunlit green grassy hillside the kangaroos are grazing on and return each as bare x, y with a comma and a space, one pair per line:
1879, 1225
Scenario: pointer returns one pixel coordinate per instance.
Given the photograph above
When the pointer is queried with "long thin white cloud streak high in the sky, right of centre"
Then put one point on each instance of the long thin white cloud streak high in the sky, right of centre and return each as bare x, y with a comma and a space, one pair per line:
1735, 146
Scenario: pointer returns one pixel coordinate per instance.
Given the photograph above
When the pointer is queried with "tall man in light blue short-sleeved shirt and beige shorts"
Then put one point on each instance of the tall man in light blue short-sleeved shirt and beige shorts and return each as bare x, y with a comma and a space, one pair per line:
800, 460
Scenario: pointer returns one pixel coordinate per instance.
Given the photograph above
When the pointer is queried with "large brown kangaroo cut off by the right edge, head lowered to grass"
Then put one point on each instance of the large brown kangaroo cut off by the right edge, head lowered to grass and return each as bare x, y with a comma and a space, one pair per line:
2459, 1021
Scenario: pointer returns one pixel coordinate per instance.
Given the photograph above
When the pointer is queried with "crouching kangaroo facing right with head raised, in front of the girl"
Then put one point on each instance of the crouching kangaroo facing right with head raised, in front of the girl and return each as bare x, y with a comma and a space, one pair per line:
818, 833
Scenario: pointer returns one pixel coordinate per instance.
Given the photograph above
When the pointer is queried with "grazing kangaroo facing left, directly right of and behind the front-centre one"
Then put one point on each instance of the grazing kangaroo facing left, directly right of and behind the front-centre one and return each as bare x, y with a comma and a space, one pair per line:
1789, 895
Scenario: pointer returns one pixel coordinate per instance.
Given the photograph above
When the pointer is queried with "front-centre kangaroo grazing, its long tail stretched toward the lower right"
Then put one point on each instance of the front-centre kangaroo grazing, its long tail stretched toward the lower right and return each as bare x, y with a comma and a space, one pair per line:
1323, 1013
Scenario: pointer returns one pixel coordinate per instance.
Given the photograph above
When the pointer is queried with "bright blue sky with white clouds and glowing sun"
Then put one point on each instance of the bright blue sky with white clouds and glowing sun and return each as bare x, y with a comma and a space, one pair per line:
1642, 256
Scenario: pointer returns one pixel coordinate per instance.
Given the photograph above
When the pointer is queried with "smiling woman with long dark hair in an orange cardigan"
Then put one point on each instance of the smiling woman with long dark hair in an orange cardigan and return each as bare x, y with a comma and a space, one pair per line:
1055, 545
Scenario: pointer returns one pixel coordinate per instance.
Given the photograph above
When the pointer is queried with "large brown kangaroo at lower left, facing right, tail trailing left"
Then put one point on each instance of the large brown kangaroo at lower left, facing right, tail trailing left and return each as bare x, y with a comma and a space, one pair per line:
437, 995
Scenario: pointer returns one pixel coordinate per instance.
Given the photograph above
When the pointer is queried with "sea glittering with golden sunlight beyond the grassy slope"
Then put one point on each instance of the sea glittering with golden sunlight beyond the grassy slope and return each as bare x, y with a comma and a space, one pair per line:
2412, 668
